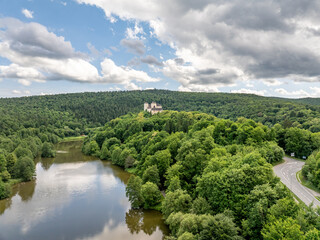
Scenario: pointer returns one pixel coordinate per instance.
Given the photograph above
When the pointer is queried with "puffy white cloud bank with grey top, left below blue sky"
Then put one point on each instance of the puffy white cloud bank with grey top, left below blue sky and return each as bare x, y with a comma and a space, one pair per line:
39, 55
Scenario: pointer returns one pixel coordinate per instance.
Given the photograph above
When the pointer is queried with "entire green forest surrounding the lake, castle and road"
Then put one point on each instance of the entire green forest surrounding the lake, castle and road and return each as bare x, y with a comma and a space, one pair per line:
208, 167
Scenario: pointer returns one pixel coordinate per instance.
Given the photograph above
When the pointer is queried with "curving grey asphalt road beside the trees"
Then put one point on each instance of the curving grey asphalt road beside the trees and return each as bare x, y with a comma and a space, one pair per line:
287, 173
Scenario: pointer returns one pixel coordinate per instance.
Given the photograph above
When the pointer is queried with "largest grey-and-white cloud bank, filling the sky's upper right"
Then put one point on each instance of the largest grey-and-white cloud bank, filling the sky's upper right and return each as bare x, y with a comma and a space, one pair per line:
244, 40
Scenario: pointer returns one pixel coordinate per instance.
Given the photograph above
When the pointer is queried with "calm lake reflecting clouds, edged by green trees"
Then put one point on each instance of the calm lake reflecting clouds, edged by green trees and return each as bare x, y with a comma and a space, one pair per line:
76, 197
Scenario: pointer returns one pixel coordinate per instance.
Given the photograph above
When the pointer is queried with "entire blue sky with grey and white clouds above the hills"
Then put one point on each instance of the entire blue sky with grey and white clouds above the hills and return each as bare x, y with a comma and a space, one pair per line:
265, 47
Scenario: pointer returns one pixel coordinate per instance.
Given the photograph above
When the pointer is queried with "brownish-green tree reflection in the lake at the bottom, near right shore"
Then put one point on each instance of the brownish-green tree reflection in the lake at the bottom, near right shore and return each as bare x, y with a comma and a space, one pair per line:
147, 221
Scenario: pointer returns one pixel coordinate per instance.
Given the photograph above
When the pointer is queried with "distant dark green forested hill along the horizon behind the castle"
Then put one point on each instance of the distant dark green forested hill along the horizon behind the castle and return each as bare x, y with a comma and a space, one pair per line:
98, 108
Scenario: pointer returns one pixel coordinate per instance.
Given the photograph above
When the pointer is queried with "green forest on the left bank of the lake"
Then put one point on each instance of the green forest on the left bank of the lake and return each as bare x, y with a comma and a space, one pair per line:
27, 131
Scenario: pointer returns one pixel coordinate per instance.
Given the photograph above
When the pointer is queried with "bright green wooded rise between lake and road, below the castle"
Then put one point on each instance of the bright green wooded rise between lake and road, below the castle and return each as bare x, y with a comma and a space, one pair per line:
211, 178
